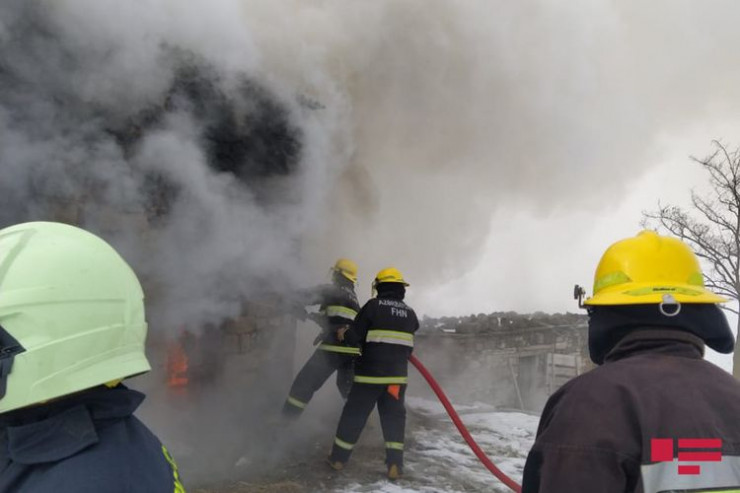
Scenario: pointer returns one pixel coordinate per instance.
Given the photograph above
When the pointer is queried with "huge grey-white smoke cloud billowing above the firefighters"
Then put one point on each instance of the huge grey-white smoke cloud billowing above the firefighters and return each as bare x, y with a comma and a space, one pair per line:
417, 120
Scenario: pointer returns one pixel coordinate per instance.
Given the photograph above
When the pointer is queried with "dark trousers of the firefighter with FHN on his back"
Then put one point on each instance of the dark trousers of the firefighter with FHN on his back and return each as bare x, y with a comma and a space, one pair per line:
360, 403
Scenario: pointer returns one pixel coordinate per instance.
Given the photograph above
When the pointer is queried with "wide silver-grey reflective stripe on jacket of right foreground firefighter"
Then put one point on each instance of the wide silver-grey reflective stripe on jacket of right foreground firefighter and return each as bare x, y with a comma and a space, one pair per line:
719, 477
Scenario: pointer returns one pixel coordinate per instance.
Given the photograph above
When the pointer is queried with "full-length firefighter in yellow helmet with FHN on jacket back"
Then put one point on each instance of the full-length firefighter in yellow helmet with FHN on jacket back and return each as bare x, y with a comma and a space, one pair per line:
384, 329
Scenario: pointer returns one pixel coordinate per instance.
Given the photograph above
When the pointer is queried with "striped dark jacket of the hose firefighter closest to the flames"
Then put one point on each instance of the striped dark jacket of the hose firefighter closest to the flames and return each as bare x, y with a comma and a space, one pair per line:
339, 305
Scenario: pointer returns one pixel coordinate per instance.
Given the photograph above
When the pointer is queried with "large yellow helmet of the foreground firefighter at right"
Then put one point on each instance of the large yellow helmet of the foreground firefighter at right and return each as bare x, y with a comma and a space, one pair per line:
643, 269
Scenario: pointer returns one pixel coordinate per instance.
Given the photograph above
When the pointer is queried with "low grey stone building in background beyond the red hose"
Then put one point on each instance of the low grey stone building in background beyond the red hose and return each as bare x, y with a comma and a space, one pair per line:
505, 359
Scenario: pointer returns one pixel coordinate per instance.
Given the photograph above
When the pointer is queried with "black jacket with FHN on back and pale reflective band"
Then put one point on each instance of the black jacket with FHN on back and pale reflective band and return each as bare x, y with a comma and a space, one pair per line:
384, 329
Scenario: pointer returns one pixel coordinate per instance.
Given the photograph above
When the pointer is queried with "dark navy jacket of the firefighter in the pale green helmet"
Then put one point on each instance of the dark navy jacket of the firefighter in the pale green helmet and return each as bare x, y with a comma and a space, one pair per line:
86, 443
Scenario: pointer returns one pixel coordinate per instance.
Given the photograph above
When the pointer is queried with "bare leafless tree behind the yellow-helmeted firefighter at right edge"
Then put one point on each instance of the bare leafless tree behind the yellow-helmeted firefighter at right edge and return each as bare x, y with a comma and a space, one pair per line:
711, 226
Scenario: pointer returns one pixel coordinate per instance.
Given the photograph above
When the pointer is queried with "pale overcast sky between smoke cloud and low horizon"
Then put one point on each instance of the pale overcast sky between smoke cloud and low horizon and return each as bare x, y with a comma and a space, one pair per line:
531, 262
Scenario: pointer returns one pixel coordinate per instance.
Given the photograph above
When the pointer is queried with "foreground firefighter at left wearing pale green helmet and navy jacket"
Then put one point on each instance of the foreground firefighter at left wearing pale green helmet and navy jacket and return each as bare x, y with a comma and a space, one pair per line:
72, 327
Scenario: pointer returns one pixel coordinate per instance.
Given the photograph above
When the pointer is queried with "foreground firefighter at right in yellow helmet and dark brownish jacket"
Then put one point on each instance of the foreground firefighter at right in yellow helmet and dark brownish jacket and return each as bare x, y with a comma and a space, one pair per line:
619, 427
